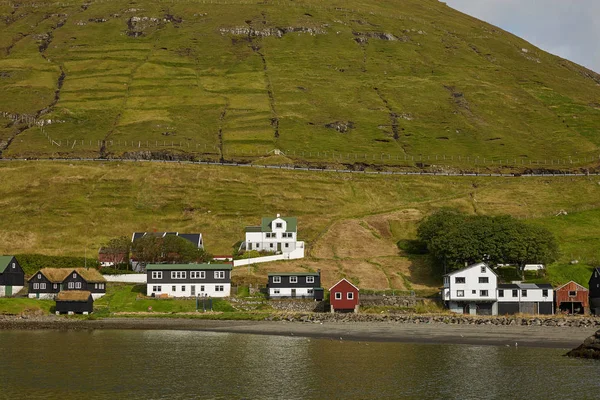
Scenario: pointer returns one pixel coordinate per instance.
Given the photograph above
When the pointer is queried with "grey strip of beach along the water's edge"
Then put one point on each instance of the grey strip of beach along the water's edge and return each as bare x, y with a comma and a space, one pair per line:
490, 335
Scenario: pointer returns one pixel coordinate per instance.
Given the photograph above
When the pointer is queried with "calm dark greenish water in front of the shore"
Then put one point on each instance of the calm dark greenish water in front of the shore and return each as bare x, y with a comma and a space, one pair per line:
197, 365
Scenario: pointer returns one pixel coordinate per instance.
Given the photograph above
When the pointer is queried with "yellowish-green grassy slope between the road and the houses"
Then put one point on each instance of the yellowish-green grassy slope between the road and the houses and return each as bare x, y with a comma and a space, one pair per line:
350, 222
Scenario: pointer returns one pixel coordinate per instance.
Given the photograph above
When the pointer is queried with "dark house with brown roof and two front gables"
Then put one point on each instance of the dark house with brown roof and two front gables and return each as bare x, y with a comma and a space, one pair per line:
48, 282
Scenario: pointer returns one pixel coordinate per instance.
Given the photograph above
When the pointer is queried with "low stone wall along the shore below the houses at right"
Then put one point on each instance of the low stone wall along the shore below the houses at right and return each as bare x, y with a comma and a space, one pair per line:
583, 322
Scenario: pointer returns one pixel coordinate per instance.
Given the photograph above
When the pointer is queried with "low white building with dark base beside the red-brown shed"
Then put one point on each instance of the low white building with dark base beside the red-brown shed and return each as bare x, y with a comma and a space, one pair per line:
525, 298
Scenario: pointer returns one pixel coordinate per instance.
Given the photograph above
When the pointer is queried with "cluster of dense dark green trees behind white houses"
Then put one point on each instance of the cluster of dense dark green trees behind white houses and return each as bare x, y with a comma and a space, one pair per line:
454, 239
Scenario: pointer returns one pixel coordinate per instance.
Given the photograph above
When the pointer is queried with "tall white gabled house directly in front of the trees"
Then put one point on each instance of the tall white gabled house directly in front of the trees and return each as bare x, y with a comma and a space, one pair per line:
471, 290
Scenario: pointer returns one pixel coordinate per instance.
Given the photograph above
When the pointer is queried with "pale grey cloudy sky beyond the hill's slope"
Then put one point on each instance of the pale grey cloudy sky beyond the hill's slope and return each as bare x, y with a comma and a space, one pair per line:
567, 28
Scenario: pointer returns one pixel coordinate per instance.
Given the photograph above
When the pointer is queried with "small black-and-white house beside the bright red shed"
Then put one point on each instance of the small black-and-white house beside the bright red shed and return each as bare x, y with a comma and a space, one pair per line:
295, 285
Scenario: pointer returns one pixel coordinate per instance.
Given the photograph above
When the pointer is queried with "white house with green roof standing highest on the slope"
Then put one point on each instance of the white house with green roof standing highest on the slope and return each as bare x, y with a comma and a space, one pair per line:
277, 235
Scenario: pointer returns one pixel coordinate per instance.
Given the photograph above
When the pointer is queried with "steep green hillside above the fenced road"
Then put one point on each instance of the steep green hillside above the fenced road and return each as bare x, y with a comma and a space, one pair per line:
350, 82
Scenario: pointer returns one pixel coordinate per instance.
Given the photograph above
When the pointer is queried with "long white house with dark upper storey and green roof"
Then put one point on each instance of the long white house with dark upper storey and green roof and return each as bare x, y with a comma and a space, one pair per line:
188, 280
